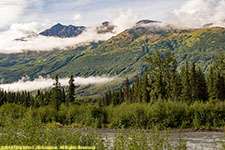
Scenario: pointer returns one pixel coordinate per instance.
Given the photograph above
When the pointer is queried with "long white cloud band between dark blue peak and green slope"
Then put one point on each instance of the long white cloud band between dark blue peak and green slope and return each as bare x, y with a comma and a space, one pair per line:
43, 43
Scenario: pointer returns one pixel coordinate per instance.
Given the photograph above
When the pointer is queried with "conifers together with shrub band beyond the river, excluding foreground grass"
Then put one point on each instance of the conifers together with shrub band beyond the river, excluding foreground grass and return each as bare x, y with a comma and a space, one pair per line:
162, 97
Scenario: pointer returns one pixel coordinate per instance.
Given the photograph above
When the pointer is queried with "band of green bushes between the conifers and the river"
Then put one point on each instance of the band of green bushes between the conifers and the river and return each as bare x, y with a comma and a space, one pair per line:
162, 114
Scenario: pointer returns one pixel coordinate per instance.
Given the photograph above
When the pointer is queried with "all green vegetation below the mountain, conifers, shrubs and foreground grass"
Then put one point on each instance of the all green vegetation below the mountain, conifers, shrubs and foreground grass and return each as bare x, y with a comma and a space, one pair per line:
160, 99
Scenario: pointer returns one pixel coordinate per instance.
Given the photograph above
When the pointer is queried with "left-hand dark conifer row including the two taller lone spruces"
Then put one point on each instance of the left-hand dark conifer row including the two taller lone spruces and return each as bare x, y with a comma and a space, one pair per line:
54, 97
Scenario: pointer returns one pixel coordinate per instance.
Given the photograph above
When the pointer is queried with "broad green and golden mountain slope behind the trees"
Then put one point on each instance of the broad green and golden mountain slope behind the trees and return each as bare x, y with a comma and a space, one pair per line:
121, 55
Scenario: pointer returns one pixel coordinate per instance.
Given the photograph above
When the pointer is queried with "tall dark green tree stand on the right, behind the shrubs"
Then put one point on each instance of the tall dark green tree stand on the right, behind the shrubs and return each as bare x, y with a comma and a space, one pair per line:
164, 81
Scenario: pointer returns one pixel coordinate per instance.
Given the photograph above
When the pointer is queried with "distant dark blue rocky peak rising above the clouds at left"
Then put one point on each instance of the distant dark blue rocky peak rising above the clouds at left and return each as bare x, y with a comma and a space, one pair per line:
63, 31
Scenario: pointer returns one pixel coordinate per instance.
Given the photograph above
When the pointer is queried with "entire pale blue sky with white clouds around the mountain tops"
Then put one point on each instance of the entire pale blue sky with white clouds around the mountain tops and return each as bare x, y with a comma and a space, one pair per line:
21, 18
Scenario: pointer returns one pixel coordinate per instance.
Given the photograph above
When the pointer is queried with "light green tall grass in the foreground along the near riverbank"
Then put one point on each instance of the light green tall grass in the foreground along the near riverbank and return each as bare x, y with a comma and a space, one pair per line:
31, 132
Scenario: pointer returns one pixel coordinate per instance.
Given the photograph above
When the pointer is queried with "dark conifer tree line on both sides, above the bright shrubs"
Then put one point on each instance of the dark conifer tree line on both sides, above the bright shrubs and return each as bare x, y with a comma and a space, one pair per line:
162, 81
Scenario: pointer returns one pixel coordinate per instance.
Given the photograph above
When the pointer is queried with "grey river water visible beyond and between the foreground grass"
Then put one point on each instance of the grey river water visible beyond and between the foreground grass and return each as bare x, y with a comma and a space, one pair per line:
194, 140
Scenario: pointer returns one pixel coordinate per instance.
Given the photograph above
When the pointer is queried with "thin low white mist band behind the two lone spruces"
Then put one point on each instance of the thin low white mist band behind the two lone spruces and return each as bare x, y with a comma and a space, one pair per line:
43, 83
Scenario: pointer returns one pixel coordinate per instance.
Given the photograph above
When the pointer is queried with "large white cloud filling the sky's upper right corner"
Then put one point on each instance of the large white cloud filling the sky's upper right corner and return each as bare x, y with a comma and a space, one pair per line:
196, 13
